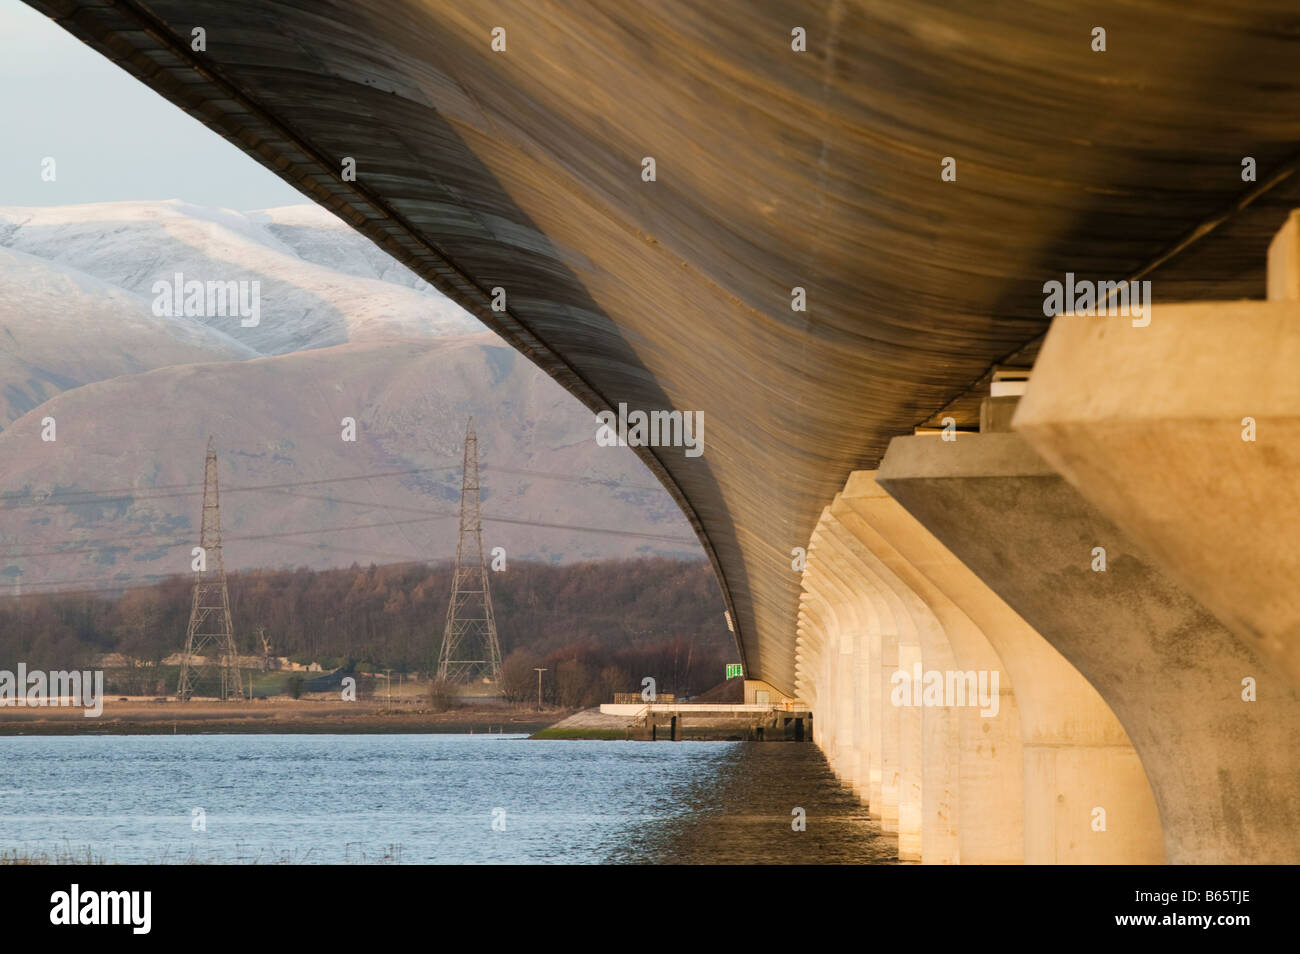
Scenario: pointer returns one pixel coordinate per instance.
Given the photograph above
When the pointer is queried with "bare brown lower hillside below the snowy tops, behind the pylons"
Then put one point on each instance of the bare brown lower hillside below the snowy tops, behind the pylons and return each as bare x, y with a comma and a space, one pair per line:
294, 493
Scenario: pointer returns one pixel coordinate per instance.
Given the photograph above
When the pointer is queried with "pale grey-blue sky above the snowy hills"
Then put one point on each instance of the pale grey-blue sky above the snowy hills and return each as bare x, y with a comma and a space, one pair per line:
111, 137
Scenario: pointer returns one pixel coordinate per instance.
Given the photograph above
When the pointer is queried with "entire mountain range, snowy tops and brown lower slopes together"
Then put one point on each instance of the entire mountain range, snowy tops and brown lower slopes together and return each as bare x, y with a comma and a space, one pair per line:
346, 332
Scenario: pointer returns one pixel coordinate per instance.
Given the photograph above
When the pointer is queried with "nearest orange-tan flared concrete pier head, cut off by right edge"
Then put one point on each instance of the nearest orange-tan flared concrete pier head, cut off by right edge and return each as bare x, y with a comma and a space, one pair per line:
1186, 432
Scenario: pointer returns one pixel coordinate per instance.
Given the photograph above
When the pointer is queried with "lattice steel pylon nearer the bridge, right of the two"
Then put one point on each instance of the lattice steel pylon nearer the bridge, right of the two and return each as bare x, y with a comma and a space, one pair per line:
470, 648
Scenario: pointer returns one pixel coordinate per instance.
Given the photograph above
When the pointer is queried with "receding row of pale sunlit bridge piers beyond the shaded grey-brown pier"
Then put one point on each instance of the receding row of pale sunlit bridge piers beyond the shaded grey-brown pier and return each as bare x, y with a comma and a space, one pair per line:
986, 796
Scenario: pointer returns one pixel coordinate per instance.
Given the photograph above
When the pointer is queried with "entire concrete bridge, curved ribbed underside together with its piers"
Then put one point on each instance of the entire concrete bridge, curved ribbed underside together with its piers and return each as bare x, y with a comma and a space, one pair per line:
777, 170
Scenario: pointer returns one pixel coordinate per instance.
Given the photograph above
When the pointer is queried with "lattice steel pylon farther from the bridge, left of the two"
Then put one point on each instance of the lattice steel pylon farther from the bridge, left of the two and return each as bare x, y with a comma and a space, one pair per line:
210, 614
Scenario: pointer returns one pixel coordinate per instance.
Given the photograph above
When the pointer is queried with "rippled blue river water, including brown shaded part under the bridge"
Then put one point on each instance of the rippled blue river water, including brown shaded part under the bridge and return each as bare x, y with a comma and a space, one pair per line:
427, 800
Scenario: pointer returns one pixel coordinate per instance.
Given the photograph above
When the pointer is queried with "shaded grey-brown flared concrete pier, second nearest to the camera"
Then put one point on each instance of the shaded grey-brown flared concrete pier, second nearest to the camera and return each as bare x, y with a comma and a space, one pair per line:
1225, 771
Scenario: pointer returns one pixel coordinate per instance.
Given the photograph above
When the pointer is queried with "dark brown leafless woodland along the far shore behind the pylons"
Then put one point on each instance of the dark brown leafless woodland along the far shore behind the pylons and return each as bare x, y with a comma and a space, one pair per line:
597, 627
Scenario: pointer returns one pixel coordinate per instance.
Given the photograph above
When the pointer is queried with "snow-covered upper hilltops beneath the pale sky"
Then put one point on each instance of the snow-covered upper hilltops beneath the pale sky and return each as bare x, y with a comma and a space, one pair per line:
318, 284
